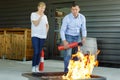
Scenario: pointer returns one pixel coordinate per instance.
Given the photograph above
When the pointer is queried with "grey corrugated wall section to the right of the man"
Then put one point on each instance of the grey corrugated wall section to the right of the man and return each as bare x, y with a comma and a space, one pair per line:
103, 23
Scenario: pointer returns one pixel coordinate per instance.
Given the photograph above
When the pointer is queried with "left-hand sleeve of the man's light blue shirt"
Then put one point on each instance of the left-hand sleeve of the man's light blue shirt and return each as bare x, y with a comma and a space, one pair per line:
63, 29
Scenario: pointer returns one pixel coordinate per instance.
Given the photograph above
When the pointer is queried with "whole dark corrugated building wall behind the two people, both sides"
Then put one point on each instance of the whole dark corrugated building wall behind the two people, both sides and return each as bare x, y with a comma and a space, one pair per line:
103, 21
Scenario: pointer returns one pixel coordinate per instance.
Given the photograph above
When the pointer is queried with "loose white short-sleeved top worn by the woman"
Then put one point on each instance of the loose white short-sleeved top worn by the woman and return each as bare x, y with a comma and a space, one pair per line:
40, 30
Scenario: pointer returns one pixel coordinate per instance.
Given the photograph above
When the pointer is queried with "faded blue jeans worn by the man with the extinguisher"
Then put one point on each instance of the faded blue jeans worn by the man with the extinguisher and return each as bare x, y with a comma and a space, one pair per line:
67, 53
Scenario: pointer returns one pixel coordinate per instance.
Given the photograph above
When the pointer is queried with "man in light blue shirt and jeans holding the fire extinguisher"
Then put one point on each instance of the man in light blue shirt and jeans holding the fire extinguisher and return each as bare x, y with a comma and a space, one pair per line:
72, 24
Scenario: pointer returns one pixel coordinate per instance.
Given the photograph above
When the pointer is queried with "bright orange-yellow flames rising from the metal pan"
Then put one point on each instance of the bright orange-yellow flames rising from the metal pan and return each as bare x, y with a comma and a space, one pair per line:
81, 66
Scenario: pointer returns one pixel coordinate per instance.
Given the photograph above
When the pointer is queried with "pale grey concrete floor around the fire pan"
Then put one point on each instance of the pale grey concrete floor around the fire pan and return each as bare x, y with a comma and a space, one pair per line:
12, 70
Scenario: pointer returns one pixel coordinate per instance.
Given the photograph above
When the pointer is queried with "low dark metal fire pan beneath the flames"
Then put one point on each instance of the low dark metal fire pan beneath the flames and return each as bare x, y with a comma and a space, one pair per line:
55, 76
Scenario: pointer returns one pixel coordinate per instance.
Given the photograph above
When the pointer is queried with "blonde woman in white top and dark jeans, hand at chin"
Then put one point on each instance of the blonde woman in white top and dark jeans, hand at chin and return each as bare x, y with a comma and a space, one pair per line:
39, 30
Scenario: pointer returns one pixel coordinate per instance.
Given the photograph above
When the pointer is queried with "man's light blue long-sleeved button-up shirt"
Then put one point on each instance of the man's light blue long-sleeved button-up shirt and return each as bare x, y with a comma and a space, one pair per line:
71, 26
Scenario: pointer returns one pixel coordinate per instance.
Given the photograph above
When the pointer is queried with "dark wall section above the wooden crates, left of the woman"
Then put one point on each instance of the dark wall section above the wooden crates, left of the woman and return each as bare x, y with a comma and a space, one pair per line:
16, 13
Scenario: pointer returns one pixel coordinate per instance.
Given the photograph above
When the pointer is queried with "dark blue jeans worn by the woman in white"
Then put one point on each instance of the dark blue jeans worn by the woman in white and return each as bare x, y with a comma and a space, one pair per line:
37, 44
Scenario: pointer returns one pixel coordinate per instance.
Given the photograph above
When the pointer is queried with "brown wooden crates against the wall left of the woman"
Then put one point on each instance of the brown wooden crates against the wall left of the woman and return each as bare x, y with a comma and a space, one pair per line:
18, 44
